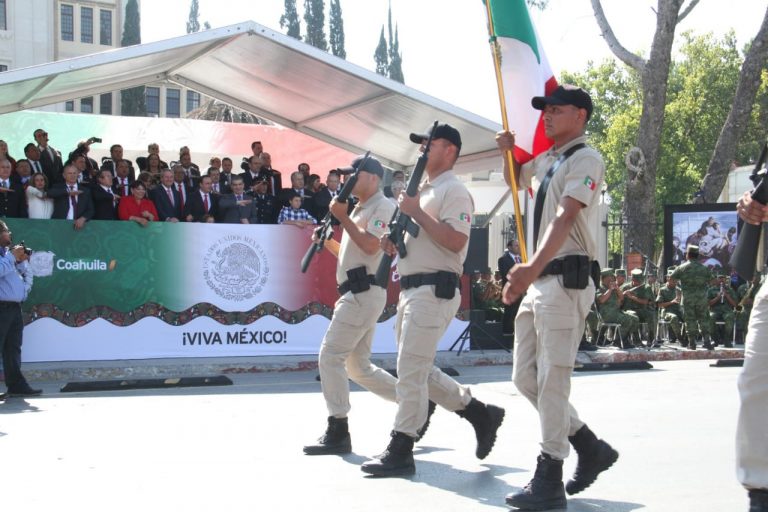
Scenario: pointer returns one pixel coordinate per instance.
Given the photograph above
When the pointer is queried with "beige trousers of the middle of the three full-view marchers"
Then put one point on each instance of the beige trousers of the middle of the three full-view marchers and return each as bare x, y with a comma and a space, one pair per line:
422, 319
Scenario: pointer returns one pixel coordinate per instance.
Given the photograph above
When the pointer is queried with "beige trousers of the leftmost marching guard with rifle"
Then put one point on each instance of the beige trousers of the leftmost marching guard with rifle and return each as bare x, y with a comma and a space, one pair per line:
346, 350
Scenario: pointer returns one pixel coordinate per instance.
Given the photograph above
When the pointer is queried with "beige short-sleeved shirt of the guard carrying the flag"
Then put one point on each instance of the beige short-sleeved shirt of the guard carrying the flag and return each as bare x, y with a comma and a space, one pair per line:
580, 177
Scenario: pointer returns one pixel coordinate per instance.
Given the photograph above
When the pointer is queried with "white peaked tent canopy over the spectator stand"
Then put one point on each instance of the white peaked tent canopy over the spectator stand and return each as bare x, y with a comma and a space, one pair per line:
273, 76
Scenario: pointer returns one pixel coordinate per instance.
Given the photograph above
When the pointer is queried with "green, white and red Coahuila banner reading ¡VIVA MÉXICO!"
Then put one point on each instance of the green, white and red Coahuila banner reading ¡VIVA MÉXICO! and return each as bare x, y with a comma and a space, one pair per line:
116, 290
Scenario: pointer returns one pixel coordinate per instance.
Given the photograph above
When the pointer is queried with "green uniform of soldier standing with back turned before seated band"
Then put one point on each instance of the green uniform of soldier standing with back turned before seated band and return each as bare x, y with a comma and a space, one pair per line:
694, 279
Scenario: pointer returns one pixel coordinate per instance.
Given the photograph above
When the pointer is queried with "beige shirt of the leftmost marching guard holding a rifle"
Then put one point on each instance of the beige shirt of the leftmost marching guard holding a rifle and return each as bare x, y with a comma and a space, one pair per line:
374, 216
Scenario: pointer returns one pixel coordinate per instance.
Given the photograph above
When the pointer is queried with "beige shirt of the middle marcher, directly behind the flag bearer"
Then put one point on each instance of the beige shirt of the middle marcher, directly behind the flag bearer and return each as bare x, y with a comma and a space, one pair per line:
447, 200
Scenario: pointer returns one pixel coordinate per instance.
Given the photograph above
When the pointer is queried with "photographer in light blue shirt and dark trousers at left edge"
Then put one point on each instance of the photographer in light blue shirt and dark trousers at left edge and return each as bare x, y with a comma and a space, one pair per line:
15, 284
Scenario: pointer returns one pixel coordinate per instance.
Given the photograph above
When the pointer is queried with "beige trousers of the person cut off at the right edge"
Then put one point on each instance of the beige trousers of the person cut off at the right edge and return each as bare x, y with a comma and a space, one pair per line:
752, 427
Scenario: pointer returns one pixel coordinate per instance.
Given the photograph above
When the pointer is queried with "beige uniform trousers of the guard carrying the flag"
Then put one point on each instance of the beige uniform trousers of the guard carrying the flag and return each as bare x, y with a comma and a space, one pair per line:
548, 329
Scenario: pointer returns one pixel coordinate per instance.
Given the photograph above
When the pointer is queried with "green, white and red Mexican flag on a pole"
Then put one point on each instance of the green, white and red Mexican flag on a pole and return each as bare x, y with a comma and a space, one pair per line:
525, 73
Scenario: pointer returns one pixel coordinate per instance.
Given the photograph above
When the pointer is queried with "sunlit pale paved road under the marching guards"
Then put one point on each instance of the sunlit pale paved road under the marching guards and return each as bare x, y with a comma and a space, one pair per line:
238, 448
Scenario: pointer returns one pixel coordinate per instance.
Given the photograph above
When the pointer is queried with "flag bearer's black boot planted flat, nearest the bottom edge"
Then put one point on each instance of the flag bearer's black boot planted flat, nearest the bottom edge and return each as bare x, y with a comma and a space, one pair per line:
545, 491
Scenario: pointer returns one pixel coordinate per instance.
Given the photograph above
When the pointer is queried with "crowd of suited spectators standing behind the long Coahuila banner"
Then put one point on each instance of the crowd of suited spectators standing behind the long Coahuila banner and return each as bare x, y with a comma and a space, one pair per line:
46, 185
